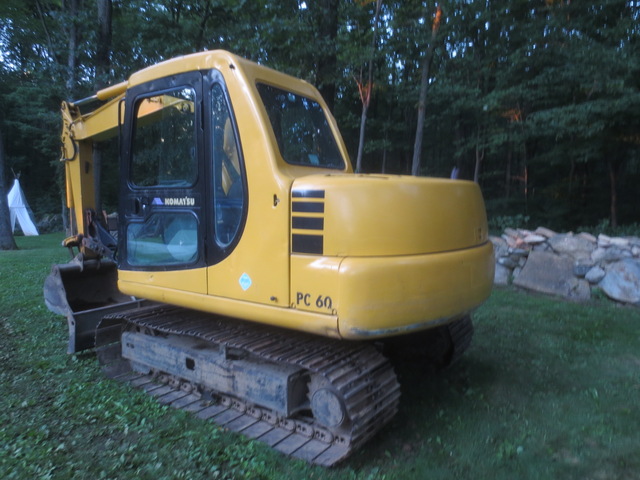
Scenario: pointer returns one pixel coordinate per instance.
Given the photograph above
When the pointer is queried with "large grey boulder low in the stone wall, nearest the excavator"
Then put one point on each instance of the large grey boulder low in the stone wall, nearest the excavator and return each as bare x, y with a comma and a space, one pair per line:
553, 274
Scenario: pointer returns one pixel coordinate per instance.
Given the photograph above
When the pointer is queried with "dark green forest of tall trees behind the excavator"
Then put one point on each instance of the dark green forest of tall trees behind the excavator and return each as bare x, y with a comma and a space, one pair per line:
537, 100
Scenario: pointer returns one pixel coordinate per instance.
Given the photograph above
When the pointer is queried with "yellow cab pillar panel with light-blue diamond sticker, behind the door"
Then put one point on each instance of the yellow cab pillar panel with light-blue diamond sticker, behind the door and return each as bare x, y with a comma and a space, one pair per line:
258, 268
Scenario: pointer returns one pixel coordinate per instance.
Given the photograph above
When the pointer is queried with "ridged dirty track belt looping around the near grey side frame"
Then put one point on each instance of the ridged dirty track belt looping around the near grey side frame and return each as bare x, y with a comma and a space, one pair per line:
362, 375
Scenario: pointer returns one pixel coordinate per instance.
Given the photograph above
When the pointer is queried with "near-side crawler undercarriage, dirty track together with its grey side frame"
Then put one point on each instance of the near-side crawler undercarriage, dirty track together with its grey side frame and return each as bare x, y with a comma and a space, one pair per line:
309, 397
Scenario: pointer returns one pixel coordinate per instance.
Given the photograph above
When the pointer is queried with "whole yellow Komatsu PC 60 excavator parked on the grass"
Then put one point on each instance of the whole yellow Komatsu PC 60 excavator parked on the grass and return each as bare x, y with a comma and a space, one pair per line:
256, 280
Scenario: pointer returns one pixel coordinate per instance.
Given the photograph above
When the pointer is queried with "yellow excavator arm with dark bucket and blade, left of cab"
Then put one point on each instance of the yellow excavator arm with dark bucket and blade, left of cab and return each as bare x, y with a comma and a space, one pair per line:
85, 289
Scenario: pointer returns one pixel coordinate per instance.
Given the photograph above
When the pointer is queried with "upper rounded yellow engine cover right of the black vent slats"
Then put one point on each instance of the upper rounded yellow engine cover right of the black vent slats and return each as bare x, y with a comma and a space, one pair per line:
376, 215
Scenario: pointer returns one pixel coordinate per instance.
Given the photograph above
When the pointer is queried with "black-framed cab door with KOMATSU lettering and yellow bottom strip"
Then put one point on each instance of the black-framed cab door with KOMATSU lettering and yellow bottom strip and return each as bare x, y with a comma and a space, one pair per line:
163, 180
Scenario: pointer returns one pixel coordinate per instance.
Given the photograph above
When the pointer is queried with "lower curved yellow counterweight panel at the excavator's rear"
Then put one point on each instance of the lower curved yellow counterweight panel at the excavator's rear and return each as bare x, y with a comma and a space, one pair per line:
393, 295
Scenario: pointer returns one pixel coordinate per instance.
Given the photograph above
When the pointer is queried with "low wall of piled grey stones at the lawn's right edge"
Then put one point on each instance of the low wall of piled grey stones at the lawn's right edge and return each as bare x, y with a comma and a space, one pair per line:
569, 265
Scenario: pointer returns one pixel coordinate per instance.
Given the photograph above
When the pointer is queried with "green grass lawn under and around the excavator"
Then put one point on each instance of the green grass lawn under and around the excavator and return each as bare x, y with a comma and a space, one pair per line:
548, 390
